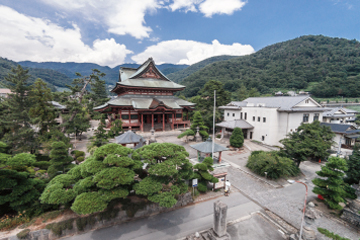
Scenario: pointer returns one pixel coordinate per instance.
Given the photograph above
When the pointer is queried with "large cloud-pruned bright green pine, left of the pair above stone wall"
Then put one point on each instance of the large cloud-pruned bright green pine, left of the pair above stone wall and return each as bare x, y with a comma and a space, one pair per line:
89, 187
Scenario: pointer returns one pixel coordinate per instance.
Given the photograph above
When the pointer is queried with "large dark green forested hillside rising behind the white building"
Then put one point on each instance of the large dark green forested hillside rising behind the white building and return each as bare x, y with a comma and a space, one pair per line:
330, 66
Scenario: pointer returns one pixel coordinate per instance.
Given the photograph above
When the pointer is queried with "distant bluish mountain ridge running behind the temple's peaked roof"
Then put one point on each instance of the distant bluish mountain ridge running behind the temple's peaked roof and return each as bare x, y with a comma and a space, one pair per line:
112, 74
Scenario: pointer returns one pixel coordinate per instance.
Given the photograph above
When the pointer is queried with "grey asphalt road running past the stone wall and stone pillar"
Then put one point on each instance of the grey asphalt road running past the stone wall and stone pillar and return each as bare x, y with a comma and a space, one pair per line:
175, 224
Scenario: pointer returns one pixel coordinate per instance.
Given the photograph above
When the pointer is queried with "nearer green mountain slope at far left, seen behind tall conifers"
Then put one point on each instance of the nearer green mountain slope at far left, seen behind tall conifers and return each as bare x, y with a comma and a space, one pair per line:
51, 77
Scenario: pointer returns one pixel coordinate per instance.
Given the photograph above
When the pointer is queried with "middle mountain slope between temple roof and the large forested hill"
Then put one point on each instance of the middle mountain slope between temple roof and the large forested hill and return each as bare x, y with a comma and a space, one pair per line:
180, 75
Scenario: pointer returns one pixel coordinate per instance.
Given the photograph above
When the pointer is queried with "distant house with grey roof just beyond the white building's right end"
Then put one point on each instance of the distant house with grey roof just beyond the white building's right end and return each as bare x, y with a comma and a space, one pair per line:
340, 115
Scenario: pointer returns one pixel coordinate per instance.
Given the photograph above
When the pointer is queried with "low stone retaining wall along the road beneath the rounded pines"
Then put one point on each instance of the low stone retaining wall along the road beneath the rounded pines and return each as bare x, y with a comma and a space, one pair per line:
71, 227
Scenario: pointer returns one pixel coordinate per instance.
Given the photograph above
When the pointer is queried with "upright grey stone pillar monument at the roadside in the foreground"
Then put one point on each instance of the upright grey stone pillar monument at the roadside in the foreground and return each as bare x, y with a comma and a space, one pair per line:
218, 232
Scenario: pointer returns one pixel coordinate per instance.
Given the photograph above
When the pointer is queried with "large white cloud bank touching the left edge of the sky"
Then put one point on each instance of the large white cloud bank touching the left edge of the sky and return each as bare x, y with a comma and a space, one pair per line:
39, 40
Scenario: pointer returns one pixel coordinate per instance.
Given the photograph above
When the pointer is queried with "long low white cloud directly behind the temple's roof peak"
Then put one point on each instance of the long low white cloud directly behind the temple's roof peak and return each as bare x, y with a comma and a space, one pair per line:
190, 52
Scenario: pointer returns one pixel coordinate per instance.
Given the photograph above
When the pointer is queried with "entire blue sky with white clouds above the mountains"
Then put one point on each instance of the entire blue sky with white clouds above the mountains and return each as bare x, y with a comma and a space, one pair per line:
113, 32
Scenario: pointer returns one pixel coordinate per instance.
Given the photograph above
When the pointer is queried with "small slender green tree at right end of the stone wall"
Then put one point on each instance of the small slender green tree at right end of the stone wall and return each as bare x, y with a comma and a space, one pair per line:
201, 172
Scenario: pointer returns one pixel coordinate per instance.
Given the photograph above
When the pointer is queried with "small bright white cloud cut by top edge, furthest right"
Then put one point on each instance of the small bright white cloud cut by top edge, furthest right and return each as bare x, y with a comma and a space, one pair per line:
211, 7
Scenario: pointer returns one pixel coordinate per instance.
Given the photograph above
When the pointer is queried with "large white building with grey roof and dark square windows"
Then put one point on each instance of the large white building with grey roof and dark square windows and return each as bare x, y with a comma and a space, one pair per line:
270, 119
